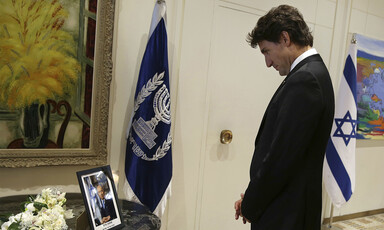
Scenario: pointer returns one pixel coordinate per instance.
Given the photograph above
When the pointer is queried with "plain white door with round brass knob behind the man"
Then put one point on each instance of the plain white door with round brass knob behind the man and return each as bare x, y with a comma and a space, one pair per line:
240, 87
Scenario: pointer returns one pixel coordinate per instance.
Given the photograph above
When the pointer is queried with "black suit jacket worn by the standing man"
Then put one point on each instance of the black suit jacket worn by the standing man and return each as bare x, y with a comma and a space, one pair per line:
285, 189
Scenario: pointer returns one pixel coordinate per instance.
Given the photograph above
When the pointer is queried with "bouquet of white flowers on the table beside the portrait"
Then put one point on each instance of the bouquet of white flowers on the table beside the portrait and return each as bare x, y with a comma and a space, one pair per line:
47, 211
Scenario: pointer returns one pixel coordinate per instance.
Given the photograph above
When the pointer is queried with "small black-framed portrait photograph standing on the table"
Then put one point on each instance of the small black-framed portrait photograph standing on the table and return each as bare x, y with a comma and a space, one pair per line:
100, 198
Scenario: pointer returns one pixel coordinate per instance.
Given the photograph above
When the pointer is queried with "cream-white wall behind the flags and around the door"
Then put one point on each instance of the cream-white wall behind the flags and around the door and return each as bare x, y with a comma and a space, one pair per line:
189, 34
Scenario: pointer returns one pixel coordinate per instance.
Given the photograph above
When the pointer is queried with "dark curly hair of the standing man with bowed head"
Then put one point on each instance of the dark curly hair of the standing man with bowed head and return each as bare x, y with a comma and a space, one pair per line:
279, 19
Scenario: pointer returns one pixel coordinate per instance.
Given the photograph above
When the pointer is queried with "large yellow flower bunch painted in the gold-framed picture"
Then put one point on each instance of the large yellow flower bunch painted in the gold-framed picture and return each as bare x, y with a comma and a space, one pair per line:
37, 57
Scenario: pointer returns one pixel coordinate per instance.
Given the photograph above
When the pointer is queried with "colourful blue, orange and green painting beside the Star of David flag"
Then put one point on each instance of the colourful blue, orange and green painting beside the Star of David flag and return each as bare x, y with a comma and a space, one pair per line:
370, 88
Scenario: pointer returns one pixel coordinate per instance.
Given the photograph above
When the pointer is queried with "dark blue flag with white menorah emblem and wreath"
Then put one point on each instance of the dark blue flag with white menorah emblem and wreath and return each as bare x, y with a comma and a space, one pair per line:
148, 163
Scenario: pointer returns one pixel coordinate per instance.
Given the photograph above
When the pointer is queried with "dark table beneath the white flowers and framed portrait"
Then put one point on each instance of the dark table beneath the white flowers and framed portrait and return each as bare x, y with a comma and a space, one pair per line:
136, 216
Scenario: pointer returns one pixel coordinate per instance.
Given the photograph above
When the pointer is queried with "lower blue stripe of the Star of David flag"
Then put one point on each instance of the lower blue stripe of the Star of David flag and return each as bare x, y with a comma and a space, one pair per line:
338, 170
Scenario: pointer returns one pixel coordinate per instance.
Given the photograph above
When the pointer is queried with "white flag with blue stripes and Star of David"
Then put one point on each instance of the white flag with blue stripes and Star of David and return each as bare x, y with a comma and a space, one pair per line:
339, 163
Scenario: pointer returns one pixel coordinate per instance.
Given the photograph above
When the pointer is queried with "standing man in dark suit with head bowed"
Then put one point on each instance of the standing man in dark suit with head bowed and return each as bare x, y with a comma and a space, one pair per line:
285, 188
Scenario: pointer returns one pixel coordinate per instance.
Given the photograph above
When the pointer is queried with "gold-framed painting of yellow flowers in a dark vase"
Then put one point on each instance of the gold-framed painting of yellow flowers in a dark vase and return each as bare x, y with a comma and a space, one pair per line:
55, 75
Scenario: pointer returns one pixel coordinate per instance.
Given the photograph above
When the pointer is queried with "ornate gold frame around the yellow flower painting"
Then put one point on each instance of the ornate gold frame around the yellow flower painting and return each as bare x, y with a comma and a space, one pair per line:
96, 153
